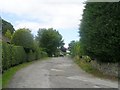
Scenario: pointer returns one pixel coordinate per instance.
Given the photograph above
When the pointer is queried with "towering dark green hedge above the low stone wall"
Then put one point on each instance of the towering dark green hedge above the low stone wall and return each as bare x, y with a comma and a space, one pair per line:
99, 31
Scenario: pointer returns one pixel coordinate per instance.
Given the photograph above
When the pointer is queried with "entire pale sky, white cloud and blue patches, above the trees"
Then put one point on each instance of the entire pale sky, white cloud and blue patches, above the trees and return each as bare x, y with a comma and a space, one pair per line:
62, 15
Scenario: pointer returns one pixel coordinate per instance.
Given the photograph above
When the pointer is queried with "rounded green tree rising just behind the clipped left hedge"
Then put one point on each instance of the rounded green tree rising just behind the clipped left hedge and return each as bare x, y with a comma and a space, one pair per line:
23, 37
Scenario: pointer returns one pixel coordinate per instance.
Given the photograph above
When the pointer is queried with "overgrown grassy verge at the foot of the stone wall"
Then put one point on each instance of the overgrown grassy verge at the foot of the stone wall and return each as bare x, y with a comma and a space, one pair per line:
86, 66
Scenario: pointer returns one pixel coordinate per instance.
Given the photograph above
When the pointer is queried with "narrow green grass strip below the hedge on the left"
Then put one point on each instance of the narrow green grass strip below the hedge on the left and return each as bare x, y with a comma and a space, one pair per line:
7, 75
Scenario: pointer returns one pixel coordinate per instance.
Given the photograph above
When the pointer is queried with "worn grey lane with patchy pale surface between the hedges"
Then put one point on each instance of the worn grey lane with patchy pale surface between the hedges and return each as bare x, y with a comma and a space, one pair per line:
57, 73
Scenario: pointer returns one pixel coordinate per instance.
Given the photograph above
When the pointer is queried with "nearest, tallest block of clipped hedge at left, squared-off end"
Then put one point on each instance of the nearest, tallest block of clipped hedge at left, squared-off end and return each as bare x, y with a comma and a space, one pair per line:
12, 55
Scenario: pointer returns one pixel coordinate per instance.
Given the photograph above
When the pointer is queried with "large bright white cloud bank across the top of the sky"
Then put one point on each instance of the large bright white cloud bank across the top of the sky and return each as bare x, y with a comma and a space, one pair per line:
54, 13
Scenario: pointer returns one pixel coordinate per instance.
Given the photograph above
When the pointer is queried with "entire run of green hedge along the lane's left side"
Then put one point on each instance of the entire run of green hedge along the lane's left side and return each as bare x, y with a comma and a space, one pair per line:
15, 55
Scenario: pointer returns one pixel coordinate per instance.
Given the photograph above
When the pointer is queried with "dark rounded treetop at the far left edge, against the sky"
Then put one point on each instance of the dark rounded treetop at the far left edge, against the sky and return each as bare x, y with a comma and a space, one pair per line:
7, 26
